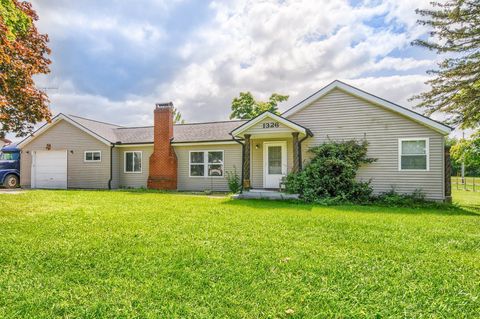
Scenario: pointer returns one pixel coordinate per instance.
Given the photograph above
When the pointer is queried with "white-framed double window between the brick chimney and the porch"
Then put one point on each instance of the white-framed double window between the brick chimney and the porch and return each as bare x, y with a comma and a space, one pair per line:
206, 163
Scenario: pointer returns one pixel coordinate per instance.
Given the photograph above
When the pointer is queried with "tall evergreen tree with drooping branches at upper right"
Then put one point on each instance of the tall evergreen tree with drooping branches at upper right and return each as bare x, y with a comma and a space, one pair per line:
455, 88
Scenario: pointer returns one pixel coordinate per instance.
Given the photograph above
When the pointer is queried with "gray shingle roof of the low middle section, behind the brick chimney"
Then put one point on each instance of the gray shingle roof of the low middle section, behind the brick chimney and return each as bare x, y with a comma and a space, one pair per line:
182, 133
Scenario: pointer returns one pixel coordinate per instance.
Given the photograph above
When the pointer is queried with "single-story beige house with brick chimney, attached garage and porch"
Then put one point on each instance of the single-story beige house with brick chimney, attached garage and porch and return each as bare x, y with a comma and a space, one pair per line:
75, 152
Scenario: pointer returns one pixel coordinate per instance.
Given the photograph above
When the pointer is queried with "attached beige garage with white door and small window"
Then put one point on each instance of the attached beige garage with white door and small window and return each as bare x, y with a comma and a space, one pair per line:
67, 154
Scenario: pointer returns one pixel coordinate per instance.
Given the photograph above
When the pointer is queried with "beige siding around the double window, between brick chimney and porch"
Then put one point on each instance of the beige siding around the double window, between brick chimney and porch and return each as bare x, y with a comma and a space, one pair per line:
232, 159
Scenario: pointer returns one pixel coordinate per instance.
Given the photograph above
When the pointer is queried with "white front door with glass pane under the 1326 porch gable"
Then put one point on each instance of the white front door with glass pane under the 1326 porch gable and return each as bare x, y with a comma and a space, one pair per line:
275, 163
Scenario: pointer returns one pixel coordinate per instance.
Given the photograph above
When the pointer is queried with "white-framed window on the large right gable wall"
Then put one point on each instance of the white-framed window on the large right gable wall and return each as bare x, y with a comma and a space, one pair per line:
413, 154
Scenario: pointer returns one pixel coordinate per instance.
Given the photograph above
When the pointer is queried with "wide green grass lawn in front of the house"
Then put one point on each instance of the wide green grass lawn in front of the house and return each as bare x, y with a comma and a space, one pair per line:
126, 254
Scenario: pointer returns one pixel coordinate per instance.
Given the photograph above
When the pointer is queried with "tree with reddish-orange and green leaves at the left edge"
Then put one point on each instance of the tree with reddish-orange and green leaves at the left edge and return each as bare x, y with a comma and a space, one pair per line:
23, 54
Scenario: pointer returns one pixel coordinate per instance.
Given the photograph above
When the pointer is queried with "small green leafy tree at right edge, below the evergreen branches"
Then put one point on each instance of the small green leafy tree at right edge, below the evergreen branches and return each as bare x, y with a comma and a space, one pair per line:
467, 151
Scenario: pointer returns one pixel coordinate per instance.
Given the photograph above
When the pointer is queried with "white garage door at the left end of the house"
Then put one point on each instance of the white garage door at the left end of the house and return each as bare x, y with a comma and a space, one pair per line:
49, 169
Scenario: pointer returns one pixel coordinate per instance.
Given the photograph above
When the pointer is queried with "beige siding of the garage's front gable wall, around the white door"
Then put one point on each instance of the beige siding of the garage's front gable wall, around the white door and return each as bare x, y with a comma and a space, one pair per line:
65, 136
